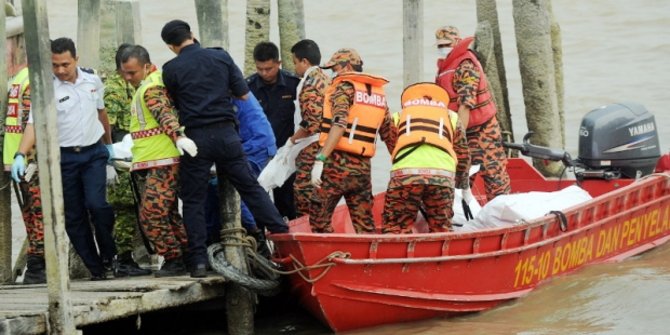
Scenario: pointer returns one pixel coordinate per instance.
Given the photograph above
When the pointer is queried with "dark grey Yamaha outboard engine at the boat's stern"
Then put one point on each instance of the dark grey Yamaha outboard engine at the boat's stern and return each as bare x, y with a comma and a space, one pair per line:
619, 139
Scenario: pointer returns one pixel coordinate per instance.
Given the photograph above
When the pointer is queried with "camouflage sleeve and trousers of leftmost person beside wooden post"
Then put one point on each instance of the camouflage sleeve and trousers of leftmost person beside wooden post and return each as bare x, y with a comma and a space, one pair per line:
31, 196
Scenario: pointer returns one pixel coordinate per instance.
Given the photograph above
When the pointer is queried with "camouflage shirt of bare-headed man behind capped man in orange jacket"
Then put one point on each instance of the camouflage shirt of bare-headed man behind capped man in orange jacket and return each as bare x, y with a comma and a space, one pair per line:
311, 100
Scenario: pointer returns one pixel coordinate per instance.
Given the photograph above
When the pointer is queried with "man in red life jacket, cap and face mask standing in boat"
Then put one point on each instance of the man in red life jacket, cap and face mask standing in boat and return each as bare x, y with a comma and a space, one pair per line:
462, 76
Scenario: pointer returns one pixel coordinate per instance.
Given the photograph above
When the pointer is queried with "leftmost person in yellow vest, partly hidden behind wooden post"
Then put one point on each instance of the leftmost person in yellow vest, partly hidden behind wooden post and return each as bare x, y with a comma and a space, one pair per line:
28, 191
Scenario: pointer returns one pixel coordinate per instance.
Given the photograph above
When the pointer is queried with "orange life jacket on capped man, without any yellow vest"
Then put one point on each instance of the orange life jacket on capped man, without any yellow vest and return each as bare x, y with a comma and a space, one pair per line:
365, 115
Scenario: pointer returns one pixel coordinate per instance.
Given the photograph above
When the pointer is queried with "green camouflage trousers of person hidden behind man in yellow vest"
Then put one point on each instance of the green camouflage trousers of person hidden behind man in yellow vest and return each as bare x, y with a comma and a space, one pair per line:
120, 196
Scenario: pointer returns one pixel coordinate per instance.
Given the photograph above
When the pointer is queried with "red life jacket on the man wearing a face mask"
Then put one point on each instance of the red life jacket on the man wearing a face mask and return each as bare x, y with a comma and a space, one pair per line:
485, 109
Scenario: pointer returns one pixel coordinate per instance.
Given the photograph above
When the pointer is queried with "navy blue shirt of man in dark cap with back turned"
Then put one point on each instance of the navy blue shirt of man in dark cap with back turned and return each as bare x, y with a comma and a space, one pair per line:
200, 81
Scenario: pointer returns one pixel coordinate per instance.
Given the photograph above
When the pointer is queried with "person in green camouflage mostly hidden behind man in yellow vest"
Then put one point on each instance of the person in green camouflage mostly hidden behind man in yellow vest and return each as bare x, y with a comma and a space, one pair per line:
118, 95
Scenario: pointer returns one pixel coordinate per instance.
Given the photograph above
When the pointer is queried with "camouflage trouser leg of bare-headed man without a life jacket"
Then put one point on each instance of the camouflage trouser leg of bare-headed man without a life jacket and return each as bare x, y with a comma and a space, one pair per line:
302, 186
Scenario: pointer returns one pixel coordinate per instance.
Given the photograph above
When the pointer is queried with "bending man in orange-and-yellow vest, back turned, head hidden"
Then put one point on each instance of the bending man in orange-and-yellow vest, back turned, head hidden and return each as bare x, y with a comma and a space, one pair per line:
429, 160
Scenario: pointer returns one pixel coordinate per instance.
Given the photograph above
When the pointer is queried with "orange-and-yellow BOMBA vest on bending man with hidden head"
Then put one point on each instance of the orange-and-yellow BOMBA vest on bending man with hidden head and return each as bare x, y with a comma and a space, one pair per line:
425, 129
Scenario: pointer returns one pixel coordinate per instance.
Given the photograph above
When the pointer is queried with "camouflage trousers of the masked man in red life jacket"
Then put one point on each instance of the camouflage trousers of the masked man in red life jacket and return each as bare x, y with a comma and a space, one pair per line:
485, 144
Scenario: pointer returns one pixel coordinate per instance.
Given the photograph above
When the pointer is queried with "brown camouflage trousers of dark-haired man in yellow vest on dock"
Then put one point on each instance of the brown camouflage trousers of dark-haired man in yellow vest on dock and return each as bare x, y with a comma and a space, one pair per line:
159, 214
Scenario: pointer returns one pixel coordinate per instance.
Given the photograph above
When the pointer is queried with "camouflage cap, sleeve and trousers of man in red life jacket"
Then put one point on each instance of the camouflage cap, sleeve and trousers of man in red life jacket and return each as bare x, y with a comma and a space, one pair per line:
485, 140
